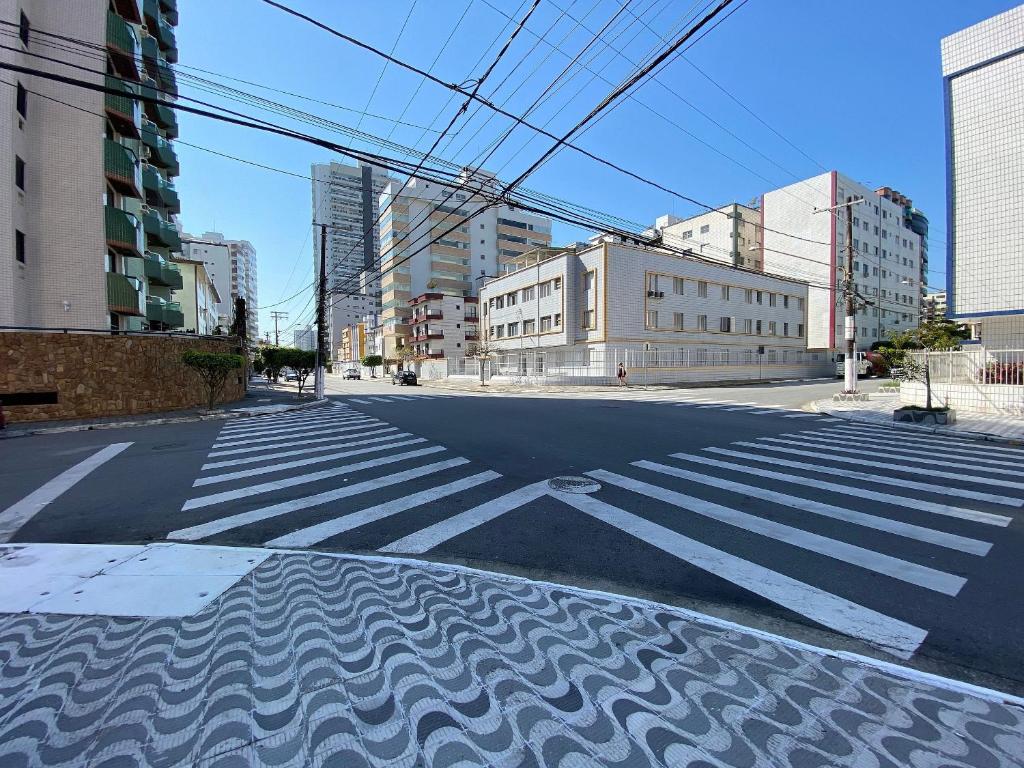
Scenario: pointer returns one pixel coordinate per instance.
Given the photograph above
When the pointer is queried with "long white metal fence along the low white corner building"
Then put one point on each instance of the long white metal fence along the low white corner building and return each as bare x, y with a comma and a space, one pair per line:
599, 367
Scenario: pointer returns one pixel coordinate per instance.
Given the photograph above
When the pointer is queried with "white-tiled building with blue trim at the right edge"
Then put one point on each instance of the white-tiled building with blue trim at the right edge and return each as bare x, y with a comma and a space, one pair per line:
984, 82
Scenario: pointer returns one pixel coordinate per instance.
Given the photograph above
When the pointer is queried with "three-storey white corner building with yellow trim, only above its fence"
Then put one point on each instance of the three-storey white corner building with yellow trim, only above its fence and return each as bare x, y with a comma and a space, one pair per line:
628, 297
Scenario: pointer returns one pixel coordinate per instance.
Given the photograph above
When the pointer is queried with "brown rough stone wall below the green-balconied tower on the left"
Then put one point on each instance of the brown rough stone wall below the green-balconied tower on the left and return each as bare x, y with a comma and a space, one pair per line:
96, 375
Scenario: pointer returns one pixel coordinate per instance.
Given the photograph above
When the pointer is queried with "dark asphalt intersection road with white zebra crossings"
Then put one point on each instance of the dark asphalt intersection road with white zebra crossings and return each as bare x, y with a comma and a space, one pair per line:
726, 500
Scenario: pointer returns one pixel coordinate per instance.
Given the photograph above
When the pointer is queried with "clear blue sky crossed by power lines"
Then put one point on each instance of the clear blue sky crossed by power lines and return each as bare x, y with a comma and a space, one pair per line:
854, 87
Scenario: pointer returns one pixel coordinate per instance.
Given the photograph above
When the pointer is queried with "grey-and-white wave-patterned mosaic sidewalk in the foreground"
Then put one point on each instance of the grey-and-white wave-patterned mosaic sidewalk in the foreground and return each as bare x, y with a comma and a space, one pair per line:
312, 660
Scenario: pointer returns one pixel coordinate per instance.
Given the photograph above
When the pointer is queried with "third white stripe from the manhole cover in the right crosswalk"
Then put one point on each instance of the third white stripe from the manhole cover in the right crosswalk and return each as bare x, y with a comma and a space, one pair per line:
907, 530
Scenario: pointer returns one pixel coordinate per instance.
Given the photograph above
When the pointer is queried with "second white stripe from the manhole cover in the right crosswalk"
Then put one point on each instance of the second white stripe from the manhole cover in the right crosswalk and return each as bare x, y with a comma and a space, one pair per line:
911, 573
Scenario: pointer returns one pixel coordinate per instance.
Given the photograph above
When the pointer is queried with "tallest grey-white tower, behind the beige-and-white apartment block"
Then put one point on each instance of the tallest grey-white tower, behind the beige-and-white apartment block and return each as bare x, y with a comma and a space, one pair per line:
346, 198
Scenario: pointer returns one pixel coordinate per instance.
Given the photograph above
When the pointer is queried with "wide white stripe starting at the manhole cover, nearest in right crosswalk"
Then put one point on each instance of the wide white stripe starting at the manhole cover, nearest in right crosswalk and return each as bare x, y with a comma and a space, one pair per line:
819, 606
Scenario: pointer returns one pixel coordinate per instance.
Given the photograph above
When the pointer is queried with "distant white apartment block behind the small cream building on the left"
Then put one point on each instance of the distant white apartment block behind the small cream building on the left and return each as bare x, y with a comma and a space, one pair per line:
232, 265
